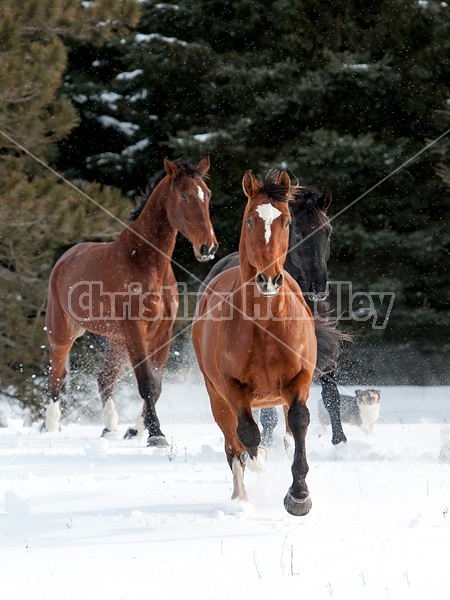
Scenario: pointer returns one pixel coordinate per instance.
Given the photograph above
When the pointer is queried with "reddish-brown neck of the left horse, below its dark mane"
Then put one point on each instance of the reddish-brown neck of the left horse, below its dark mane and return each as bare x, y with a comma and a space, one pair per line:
151, 235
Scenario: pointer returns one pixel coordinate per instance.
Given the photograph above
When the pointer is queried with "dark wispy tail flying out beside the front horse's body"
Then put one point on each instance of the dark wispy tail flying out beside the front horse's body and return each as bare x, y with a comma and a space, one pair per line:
329, 340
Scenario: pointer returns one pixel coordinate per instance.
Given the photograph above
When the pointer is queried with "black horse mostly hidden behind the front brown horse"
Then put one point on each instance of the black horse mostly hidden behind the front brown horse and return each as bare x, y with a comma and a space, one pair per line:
306, 262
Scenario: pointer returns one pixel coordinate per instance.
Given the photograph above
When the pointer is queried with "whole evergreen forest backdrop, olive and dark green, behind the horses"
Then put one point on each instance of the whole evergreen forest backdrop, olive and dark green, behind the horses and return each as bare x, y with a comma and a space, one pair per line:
339, 93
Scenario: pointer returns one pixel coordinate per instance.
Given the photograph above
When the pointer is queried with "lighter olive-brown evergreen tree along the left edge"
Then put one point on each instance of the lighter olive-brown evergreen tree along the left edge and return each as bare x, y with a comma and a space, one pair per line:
40, 214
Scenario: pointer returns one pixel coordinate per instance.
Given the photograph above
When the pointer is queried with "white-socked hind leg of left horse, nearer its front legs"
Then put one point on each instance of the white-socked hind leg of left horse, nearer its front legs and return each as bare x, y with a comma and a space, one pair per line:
106, 382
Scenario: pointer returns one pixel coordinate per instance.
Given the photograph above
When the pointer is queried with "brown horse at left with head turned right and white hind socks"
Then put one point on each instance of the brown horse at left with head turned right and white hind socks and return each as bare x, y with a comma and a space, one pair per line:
126, 291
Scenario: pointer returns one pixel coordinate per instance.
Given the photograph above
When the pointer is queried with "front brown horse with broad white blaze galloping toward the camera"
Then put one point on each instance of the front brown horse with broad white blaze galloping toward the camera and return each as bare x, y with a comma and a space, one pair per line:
253, 335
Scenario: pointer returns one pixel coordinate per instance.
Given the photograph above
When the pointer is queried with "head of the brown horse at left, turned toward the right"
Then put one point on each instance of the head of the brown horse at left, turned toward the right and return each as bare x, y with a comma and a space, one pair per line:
188, 208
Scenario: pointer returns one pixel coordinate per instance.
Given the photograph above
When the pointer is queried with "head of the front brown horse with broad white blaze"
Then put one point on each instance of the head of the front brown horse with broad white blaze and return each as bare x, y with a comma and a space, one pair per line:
265, 230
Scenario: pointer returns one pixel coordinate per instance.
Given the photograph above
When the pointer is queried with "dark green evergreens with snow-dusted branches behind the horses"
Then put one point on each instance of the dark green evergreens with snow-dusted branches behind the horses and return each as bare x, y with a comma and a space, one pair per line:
341, 94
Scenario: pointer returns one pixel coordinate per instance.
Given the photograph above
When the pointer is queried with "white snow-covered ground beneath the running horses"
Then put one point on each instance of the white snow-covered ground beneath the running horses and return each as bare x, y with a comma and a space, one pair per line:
83, 517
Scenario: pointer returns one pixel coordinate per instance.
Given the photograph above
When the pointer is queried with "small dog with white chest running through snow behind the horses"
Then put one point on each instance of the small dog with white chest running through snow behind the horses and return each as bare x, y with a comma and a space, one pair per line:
361, 410
